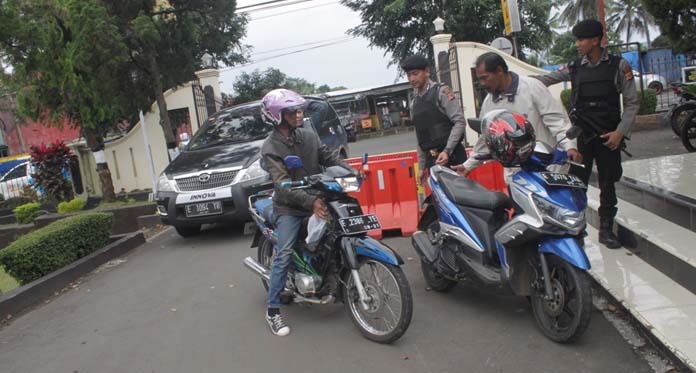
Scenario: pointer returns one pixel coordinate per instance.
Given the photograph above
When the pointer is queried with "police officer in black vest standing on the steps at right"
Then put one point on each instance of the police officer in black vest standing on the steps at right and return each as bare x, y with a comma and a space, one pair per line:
599, 79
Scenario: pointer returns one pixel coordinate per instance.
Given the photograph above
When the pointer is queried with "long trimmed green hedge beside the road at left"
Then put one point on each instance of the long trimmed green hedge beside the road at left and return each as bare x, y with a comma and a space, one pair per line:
60, 243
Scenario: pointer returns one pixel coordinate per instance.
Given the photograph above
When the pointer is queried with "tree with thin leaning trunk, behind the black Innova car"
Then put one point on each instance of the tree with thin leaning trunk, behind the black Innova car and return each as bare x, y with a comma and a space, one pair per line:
166, 40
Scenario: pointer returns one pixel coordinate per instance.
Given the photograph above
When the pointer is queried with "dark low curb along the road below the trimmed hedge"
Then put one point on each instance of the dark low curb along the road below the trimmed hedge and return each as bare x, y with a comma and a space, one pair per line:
35, 292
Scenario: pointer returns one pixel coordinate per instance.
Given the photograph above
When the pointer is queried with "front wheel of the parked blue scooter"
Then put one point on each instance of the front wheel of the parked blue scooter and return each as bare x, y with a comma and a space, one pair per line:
565, 317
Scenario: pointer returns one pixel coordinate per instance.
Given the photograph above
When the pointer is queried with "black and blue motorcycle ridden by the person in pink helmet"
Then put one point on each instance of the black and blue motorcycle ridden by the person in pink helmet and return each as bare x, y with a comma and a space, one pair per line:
345, 264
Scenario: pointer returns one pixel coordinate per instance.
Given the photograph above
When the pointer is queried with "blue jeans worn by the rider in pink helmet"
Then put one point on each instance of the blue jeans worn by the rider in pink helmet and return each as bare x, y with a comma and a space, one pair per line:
287, 227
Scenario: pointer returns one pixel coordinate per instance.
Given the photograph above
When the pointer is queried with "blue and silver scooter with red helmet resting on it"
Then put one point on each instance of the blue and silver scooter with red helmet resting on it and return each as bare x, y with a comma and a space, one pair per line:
466, 235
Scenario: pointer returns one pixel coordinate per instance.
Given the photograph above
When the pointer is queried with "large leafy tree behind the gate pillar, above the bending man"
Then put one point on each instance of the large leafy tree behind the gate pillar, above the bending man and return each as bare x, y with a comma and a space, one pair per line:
403, 27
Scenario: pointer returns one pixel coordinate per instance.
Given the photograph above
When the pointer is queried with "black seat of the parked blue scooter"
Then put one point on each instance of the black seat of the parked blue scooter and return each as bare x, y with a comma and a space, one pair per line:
467, 192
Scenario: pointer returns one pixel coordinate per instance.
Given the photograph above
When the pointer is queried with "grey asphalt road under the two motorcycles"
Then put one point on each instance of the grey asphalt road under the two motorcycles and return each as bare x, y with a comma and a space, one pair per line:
188, 305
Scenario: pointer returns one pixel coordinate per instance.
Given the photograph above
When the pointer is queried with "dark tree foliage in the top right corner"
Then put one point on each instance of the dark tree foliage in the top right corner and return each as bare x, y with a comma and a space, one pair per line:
676, 20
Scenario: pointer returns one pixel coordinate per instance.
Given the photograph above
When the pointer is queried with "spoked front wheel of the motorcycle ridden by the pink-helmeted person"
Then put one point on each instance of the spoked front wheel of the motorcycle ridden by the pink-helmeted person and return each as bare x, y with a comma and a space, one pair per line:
390, 307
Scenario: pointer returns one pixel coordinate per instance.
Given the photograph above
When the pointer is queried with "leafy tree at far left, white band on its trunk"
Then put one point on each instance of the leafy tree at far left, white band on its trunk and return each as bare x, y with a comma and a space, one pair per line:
63, 54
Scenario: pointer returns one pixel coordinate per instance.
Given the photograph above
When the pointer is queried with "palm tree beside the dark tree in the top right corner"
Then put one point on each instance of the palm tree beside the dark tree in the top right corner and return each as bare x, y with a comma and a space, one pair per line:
630, 16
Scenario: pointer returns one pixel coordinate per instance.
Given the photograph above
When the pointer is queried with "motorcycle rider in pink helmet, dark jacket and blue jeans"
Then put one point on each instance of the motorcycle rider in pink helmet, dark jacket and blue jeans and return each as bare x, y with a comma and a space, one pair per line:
284, 110
